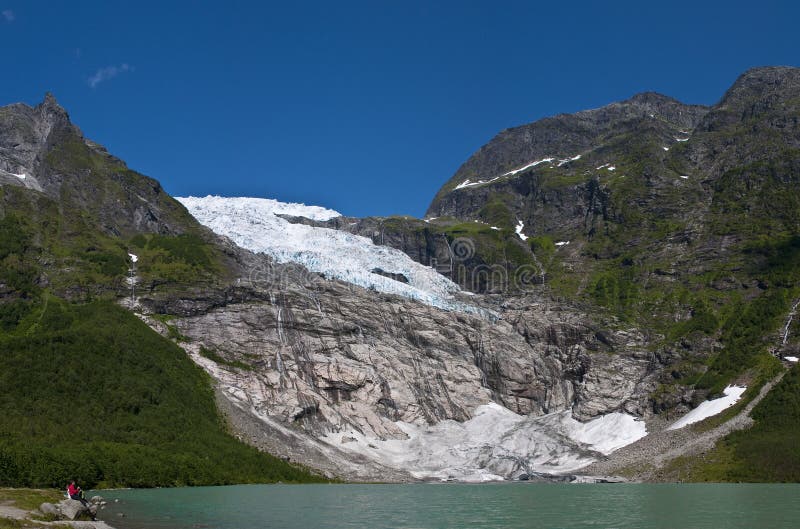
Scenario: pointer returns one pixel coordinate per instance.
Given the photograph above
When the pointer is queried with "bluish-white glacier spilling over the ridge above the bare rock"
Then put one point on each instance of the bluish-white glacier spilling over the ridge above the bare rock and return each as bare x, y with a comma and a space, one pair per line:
252, 223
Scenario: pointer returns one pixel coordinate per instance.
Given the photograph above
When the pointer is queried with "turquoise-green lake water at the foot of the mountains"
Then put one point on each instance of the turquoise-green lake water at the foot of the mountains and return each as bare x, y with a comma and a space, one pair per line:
429, 506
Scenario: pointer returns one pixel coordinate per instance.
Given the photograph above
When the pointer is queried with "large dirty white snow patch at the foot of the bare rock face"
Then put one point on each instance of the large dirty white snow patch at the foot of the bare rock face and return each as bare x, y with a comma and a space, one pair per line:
497, 444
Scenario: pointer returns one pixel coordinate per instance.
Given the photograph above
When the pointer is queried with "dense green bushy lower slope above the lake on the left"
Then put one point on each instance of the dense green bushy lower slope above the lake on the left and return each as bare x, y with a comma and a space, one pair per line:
91, 392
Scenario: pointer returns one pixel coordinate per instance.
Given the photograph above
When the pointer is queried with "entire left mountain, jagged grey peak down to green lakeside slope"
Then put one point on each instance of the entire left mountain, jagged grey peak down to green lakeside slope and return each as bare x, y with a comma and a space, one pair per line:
90, 391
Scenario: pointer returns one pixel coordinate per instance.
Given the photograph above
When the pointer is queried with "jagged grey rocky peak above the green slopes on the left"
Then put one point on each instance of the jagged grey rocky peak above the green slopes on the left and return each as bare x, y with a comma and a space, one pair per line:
42, 150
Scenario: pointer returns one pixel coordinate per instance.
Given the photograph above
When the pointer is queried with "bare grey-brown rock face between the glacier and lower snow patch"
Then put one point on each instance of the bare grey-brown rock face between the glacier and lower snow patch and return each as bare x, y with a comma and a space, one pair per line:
326, 357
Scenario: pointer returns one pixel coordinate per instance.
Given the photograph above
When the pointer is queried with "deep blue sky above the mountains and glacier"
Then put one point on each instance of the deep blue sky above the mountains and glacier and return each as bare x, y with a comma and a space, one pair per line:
365, 107
